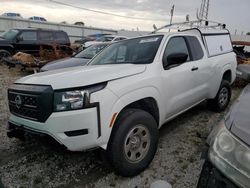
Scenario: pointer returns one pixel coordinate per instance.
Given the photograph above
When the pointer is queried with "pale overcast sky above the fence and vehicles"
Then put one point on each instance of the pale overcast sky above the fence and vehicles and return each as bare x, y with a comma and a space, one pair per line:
235, 13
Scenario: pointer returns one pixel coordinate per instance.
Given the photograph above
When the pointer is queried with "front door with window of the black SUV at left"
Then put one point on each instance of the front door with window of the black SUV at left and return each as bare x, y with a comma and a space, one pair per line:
26, 42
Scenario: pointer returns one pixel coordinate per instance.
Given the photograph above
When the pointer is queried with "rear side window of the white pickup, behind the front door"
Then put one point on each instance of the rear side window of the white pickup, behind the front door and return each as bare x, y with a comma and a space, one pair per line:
195, 48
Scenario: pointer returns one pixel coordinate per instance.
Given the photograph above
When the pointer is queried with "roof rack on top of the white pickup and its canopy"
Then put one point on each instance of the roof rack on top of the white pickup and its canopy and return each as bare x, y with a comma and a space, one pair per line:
199, 24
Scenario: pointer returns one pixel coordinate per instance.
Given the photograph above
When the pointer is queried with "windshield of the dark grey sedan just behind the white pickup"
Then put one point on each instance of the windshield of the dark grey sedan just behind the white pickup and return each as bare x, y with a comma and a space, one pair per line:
91, 51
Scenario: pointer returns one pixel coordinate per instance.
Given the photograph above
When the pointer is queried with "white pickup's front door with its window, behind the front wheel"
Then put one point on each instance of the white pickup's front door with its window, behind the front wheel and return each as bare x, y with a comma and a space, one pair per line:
179, 80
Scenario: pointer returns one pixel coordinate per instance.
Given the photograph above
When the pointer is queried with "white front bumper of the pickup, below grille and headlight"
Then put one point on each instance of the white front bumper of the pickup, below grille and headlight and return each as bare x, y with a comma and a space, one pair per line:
77, 130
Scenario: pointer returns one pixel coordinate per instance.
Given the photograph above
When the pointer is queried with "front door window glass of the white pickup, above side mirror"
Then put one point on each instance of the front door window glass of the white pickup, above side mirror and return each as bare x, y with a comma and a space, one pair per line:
176, 45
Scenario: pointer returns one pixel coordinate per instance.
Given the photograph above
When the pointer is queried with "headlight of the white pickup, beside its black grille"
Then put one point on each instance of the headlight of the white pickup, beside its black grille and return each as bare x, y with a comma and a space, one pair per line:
74, 99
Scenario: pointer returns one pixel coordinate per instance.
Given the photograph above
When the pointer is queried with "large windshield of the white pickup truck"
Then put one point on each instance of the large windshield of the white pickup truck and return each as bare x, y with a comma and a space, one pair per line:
136, 51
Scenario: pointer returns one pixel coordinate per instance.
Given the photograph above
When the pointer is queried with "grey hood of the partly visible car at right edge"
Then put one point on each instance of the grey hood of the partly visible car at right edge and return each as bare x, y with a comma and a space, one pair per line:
238, 121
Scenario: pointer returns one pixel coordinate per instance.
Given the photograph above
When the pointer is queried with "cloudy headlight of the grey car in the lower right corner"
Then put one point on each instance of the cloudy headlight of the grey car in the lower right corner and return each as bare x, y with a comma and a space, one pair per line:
230, 156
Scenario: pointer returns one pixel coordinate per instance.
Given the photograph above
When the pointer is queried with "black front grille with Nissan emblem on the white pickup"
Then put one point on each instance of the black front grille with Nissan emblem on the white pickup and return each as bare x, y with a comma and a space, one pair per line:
31, 101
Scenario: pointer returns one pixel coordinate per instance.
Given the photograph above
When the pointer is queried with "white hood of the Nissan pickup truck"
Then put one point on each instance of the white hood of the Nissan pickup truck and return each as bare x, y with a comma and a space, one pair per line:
82, 76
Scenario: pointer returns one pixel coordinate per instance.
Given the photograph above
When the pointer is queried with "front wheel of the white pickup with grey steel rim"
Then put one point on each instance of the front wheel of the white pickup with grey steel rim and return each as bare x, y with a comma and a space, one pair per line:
133, 142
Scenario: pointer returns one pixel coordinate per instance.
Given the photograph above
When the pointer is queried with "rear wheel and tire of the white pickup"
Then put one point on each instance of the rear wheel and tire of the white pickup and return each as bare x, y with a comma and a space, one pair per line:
222, 99
